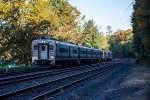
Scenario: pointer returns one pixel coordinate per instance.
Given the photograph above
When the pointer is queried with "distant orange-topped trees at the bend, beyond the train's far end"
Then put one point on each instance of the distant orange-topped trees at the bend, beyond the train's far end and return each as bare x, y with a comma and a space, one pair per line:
121, 43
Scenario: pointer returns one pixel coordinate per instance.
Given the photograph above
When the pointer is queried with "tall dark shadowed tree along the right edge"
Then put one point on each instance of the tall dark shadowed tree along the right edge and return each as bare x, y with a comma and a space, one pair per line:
141, 28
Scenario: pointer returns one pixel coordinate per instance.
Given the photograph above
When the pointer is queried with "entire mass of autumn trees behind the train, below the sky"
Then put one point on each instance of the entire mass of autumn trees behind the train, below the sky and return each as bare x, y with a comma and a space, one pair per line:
21, 21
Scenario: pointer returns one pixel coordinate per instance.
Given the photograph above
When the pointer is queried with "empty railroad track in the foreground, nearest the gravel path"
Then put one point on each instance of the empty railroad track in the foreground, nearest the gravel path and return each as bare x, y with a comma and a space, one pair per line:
54, 83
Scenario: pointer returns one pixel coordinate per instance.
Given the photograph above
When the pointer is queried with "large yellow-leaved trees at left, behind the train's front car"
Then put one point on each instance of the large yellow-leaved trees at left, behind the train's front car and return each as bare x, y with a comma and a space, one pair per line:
21, 21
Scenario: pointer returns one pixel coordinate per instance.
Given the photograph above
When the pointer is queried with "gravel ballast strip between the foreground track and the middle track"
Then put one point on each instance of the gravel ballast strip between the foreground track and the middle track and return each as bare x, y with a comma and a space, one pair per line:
26, 84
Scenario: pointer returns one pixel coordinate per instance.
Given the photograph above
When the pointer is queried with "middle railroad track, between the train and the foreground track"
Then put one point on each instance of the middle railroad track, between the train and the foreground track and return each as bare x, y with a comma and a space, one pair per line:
30, 76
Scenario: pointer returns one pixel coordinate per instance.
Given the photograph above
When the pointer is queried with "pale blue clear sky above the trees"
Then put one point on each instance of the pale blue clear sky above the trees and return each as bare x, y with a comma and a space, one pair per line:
116, 13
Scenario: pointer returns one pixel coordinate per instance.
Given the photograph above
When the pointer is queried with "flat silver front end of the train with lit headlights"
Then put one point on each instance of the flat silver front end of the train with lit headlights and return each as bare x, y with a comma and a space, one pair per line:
43, 53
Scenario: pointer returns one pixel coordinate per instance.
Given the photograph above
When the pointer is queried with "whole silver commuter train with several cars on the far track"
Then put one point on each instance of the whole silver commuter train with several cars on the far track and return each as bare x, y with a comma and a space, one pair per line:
47, 51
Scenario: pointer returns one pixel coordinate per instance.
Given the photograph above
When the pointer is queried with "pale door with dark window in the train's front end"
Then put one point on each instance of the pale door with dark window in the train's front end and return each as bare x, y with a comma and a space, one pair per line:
43, 51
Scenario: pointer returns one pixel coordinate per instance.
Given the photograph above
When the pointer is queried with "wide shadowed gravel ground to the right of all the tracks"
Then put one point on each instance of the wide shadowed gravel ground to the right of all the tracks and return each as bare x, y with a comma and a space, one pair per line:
127, 82
